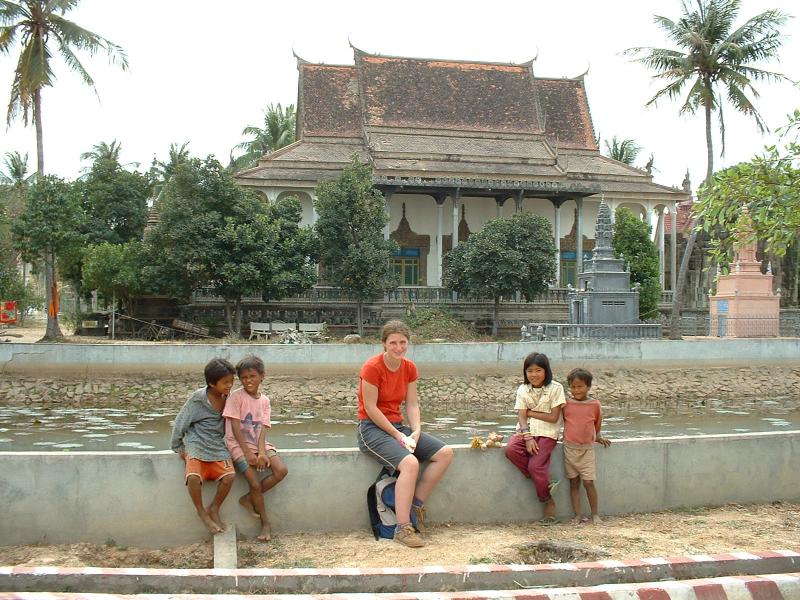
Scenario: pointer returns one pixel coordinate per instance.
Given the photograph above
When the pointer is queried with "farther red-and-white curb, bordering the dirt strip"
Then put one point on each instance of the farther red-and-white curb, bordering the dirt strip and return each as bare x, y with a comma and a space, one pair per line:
628, 575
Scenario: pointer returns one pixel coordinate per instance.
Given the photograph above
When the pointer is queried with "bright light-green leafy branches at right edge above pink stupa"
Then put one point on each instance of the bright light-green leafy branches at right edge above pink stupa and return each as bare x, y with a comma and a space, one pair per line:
757, 200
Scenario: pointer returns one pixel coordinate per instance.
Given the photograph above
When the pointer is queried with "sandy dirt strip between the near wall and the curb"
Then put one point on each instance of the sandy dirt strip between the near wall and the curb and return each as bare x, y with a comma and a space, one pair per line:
671, 533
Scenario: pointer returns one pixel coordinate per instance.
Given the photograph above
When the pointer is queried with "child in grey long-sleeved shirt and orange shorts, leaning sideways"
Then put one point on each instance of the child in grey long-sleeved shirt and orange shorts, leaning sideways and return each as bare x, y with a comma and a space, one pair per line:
198, 436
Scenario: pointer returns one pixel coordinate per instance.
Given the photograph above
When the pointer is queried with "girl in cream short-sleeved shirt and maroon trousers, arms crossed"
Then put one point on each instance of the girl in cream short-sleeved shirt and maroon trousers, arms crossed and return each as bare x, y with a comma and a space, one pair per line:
538, 404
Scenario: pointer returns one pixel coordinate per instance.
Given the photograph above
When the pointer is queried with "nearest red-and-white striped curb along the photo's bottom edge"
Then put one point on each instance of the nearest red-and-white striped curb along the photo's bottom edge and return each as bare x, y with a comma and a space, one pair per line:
764, 587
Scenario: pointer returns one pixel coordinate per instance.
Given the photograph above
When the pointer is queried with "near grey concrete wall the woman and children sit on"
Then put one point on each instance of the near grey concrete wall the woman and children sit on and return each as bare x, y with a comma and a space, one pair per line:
138, 498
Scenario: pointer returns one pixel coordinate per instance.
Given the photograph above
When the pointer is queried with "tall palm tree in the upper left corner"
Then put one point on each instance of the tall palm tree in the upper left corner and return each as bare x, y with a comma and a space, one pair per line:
43, 31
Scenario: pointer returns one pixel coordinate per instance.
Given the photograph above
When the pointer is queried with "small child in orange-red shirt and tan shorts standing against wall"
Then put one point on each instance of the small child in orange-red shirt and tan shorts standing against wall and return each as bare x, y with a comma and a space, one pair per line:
582, 420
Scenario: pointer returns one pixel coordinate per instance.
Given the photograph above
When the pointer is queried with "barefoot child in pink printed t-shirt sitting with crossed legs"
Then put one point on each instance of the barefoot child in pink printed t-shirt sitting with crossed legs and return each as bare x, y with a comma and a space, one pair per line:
247, 418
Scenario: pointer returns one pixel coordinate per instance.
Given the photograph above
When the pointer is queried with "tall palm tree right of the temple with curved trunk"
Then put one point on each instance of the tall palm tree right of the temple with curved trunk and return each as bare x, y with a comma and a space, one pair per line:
715, 59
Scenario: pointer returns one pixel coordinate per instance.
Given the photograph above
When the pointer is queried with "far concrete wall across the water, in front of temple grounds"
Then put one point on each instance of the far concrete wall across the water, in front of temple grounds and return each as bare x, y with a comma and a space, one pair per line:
88, 359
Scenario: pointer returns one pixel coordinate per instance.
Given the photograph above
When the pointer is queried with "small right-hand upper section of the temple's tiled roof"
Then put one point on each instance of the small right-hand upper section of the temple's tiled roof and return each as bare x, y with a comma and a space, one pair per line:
567, 121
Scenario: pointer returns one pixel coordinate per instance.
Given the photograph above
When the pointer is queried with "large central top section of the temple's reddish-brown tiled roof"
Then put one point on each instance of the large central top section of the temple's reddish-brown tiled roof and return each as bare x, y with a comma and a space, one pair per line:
410, 92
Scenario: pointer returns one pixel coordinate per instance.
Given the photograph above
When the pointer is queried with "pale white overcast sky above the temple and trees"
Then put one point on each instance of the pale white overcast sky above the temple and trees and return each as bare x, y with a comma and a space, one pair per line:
200, 71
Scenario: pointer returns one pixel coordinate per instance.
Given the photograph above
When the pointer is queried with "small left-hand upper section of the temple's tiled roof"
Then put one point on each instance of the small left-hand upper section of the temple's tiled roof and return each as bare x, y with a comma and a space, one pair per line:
328, 101
